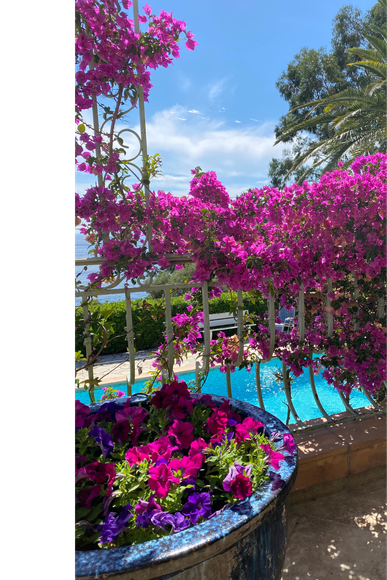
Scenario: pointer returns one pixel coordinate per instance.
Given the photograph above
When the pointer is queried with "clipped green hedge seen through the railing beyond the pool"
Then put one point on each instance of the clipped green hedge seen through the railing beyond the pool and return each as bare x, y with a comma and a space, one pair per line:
148, 332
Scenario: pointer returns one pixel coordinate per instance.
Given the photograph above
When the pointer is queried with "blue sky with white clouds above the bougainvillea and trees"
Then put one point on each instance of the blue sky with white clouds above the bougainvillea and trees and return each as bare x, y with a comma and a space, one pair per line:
217, 106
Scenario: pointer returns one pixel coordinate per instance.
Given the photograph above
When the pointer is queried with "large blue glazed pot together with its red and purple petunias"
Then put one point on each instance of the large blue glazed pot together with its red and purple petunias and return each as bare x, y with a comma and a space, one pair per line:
166, 484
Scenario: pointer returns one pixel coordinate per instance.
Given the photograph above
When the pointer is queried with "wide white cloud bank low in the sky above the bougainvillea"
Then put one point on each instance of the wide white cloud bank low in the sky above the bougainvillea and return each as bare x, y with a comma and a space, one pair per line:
239, 156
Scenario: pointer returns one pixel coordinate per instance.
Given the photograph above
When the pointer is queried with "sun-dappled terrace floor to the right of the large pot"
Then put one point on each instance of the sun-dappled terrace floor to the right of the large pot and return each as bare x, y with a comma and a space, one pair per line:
341, 536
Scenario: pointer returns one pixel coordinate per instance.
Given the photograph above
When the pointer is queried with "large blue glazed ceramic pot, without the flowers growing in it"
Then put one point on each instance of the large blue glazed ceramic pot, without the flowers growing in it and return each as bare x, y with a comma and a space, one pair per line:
245, 542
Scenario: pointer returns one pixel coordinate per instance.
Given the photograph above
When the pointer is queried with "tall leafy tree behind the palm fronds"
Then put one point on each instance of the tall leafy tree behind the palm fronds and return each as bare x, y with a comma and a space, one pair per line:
310, 79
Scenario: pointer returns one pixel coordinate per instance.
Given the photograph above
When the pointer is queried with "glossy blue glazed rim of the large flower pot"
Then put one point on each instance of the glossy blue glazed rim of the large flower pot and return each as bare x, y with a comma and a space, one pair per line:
162, 550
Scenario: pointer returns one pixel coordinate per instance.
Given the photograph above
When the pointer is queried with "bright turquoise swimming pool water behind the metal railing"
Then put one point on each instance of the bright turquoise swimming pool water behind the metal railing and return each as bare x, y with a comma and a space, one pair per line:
244, 388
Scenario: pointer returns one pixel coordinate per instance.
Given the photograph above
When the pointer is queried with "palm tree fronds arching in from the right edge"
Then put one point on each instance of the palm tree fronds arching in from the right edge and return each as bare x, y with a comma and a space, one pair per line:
356, 119
